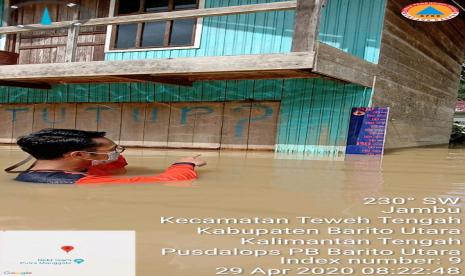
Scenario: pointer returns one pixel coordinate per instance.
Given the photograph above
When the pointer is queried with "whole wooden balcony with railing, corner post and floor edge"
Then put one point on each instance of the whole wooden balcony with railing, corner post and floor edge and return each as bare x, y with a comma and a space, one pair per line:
308, 58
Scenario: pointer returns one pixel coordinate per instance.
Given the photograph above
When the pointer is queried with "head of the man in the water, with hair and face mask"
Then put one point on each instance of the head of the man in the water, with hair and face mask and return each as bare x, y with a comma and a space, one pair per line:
53, 144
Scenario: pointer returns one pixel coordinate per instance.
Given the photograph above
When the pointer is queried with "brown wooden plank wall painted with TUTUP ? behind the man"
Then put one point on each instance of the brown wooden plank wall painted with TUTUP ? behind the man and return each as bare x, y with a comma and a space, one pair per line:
213, 125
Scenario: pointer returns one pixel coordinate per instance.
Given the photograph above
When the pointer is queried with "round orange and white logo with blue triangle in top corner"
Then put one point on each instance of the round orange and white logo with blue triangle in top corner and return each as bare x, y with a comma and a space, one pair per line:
430, 12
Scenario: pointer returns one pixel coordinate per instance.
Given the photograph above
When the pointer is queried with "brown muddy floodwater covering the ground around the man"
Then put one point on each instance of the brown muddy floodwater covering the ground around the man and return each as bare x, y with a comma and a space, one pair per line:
232, 185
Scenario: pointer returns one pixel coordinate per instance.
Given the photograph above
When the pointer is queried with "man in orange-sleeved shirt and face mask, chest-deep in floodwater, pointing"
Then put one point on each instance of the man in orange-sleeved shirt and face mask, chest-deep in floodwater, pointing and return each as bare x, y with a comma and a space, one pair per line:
69, 156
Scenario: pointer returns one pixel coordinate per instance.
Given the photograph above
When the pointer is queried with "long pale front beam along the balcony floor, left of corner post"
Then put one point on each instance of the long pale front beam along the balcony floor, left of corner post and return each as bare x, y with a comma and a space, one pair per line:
186, 65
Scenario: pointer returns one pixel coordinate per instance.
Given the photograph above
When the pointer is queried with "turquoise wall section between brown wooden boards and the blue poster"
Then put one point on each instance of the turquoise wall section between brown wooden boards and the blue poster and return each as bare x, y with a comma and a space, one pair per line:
314, 115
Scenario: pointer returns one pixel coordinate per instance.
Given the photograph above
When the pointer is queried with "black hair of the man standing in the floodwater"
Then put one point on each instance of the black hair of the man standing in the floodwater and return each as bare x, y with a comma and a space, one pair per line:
53, 143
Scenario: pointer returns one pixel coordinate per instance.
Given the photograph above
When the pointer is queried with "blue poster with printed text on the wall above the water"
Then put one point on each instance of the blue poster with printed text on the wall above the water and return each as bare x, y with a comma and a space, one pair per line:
367, 130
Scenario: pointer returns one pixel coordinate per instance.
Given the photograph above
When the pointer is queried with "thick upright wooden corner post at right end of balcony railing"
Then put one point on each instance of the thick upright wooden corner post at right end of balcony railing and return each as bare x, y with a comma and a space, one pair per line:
307, 23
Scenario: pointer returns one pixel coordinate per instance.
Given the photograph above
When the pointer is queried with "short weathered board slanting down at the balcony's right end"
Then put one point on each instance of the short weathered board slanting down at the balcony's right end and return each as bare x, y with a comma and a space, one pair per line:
338, 64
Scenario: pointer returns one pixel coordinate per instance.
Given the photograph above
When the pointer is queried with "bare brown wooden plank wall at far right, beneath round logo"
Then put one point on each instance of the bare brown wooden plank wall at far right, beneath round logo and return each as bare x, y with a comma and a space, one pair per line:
420, 65
